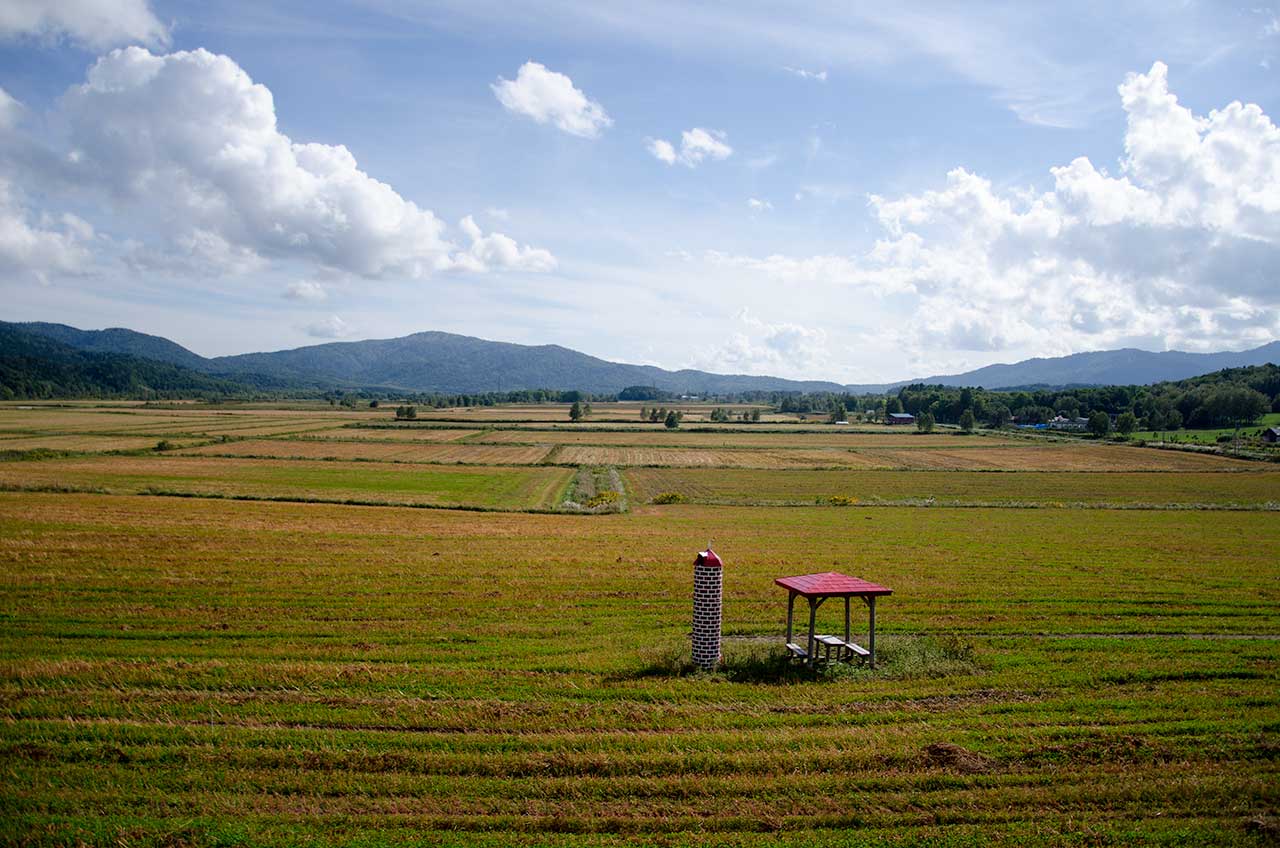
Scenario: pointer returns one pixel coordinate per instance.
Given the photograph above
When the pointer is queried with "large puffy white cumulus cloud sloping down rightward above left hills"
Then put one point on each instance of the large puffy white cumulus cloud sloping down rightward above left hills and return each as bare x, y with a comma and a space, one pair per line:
193, 144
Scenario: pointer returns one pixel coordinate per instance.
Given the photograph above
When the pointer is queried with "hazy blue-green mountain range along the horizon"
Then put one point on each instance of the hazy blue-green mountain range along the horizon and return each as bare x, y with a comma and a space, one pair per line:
447, 363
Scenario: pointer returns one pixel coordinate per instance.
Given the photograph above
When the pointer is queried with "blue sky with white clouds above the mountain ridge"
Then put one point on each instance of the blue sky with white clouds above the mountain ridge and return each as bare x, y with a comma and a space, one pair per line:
863, 194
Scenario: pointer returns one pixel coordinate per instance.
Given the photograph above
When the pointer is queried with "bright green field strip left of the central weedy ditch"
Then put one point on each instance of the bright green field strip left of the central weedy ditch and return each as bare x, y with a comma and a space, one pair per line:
487, 487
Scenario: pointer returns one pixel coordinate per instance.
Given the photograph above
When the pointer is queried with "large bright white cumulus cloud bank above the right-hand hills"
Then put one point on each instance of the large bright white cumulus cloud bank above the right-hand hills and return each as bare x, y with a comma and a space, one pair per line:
1180, 248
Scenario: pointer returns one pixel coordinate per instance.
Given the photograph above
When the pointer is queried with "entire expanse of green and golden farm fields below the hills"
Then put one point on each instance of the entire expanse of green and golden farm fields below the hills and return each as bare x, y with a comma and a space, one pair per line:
322, 664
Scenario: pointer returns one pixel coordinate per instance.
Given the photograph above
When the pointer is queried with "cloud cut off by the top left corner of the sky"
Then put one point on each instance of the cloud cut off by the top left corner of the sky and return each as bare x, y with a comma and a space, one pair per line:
93, 24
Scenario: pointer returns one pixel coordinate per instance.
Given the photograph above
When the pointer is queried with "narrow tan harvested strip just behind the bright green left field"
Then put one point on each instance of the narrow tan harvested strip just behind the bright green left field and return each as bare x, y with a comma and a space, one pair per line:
385, 452
